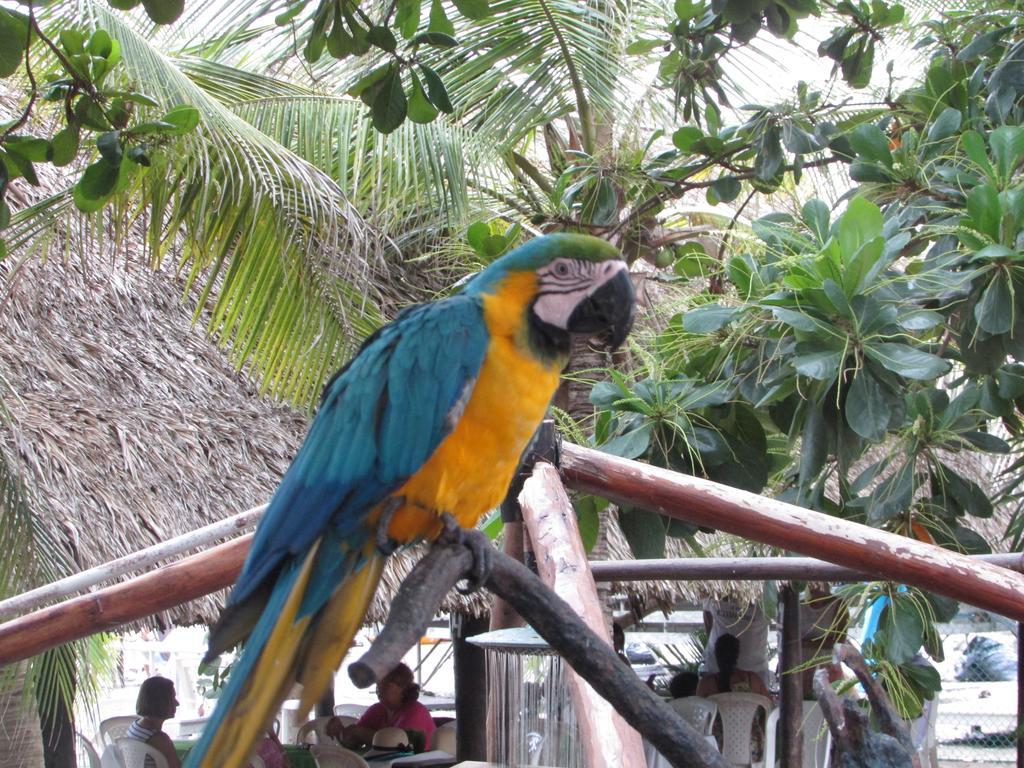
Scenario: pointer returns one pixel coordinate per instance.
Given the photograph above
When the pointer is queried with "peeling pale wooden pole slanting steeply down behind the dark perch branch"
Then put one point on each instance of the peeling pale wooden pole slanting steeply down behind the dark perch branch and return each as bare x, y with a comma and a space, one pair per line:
607, 741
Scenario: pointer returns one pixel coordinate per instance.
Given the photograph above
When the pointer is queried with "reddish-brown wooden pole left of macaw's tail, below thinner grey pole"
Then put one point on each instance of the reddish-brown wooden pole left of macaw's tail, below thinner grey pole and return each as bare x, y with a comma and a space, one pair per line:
109, 609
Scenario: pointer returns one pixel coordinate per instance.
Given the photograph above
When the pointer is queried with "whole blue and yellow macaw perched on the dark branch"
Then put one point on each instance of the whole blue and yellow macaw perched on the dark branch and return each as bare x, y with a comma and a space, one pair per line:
430, 419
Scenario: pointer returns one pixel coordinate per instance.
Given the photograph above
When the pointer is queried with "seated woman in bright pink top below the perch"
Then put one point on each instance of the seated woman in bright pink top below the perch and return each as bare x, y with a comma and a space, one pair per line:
398, 708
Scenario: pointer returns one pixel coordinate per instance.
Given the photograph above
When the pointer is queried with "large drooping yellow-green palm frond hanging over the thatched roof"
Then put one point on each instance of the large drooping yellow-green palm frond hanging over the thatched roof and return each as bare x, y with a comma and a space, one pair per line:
268, 234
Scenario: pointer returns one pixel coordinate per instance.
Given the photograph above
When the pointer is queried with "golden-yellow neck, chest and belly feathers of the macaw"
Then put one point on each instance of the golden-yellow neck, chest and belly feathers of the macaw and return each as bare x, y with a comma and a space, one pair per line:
471, 472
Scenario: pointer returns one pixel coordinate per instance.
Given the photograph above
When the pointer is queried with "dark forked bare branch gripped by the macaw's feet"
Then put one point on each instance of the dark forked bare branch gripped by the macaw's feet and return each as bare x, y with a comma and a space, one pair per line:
422, 593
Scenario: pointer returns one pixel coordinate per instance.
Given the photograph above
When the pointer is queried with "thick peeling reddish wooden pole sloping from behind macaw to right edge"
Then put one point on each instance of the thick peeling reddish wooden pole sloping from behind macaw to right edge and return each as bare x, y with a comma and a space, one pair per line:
883, 556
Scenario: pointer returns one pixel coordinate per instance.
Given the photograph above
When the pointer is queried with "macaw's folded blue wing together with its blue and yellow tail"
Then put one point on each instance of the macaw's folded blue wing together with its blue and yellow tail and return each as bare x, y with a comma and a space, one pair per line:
314, 566
